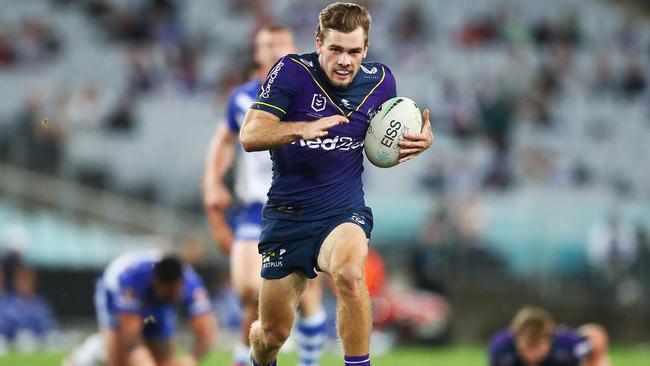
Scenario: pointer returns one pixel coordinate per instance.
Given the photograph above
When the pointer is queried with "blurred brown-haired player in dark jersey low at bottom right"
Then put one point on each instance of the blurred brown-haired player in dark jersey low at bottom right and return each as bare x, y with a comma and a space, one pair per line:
535, 340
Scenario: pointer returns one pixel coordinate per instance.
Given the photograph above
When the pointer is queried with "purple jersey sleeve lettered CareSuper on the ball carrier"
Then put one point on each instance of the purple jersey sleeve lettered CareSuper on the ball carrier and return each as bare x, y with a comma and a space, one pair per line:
277, 92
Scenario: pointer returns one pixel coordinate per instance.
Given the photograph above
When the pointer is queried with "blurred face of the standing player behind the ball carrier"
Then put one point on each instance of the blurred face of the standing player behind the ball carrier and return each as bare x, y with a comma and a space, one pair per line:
271, 45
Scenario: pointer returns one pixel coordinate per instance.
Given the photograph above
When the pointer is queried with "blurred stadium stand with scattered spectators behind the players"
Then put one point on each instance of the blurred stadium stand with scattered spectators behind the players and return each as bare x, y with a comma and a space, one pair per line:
541, 113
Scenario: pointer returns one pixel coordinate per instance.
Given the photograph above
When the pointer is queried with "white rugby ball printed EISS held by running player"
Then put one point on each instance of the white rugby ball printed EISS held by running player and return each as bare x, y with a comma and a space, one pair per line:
394, 118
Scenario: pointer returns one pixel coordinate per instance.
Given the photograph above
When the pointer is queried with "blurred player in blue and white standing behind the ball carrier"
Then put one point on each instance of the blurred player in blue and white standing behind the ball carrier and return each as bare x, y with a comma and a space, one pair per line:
253, 180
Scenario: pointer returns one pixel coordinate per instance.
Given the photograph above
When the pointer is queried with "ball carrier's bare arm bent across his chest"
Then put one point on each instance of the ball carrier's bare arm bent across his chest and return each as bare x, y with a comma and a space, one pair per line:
263, 130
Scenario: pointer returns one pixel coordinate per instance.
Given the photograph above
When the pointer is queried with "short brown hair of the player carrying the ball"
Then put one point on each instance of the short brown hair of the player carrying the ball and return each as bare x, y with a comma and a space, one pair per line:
344, 17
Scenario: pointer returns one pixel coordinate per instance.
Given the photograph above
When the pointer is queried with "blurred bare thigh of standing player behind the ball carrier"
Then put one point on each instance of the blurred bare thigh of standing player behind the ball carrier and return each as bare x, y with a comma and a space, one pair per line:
245, 265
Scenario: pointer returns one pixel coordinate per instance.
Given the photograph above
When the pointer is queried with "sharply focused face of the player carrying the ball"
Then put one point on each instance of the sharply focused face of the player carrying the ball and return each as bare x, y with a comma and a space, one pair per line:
340, 55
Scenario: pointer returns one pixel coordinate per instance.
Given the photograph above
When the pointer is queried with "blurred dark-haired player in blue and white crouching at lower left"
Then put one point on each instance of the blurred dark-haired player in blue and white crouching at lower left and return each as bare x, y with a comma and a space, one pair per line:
135, 301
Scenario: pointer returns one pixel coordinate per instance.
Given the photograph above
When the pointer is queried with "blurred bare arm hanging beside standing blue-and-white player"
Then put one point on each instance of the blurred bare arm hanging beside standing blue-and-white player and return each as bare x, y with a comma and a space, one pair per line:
216, 197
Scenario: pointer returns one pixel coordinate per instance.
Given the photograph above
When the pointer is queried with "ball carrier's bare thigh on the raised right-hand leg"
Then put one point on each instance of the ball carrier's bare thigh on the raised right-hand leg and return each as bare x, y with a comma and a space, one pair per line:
346, 244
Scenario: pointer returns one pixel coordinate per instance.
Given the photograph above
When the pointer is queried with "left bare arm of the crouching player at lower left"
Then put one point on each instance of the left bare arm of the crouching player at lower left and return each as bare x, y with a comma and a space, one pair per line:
133, 351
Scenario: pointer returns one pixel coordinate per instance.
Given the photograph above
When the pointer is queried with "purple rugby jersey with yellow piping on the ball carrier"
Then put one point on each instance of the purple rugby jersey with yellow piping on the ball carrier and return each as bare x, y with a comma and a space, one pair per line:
322, 177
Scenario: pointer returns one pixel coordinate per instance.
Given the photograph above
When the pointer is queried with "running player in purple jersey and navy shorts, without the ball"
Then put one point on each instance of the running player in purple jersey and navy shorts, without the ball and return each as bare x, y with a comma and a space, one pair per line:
312, 113
